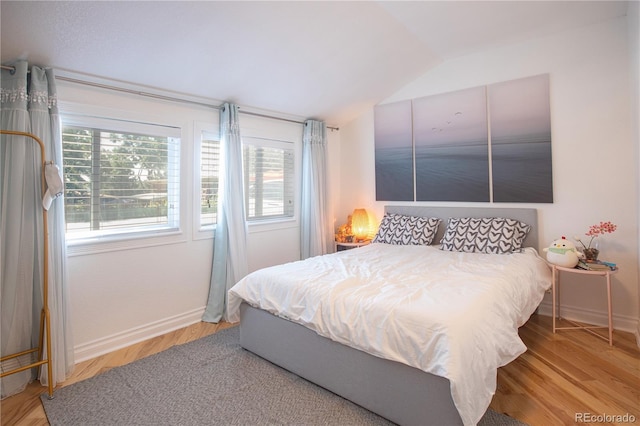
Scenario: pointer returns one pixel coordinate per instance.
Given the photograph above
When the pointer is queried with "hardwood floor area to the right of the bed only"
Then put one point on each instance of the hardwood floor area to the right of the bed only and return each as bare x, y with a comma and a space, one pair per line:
571, 372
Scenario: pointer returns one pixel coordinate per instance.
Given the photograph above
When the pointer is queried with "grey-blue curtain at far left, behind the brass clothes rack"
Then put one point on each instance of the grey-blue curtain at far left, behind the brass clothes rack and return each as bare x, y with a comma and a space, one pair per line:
29, 105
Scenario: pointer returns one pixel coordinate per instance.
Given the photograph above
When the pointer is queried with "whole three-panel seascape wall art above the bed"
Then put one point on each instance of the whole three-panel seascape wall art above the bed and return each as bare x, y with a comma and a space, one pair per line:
484, 144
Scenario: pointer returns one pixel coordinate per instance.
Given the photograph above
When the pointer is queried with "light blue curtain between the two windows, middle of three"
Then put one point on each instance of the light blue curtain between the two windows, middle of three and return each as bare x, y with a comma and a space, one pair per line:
230, 241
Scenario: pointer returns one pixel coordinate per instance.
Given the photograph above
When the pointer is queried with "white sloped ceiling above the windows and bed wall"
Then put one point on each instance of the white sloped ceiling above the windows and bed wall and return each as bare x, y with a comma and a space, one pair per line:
327, 60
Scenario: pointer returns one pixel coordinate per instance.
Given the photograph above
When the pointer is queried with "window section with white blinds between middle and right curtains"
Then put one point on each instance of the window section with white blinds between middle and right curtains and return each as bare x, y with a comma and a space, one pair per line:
268, 178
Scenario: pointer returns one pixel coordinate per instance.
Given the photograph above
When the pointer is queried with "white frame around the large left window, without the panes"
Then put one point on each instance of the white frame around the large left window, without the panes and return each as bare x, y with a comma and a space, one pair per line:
74, 114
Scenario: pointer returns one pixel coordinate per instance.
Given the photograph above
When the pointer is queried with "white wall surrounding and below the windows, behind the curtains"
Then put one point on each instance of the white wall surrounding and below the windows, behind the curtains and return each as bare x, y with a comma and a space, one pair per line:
123, 295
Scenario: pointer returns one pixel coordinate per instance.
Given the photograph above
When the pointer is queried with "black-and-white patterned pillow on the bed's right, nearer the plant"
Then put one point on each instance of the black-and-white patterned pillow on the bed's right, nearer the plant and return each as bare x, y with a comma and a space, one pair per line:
484, 235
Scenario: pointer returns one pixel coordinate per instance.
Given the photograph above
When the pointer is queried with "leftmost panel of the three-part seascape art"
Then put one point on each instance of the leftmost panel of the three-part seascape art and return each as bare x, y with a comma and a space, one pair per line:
394, 152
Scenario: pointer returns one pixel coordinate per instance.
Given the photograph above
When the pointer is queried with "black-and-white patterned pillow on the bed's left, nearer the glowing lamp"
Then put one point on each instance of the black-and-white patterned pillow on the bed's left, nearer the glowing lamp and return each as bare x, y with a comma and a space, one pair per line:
400, 229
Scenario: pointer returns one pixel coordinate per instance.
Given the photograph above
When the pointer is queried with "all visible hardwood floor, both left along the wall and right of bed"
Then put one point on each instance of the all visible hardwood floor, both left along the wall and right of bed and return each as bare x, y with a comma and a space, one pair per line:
560, 376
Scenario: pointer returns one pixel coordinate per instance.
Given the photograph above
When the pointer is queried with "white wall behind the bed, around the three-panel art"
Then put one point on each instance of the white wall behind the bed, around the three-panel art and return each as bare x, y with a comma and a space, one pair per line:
594, 151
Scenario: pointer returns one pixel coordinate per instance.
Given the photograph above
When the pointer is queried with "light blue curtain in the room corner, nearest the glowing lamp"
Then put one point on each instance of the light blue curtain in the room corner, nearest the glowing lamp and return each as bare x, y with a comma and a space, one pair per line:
314, 229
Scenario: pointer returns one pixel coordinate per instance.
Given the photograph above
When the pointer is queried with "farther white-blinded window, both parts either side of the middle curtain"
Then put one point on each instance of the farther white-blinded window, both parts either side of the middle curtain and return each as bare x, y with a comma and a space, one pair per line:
269, 166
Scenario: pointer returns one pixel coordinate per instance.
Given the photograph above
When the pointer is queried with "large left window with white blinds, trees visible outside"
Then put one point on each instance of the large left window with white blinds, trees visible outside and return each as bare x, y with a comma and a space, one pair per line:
120, 177
